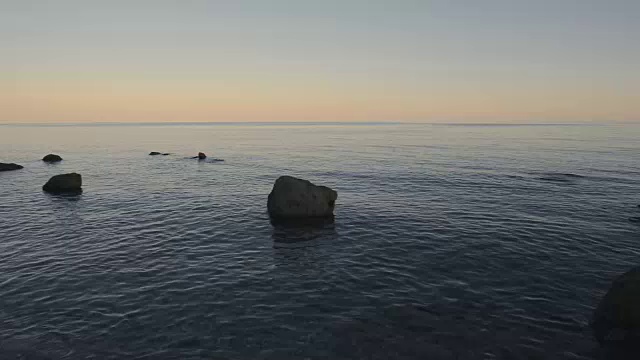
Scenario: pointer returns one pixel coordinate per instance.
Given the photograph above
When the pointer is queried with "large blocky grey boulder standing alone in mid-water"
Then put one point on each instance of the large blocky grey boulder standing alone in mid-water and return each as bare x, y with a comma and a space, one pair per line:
292, 198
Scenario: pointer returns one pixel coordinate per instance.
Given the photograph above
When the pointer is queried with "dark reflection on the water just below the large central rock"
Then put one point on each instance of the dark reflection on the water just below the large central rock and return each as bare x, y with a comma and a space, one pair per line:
302, 233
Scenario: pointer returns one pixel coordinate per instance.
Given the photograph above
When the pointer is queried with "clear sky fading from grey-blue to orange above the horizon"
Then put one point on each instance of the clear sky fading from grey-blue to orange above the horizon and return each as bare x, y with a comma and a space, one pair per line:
330, 60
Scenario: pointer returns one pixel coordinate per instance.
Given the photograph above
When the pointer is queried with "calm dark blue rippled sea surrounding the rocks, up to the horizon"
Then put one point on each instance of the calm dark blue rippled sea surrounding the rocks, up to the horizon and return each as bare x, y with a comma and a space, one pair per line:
463, 242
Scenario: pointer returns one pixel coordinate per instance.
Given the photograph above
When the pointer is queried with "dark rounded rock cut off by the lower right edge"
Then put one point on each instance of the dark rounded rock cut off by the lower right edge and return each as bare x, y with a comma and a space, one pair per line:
616, 320
